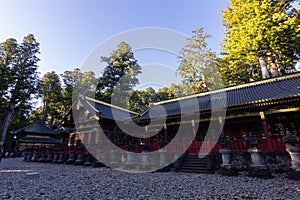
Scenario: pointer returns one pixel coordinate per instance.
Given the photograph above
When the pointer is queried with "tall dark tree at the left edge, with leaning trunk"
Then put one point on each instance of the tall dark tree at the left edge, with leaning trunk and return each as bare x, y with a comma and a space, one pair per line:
19, 79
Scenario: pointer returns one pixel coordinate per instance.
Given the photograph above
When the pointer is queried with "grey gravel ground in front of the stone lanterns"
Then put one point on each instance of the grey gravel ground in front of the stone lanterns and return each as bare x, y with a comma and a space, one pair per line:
78, 182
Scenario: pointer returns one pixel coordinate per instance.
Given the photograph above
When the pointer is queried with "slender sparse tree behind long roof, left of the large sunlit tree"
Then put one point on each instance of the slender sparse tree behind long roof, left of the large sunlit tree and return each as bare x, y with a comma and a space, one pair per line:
198, 64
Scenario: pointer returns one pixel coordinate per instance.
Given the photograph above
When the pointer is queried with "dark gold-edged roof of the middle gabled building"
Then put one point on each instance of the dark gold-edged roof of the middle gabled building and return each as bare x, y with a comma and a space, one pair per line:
106, 110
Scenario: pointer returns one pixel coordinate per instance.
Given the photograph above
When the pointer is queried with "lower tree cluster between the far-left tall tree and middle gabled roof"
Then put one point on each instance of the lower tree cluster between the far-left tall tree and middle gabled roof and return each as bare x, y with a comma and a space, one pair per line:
57, 98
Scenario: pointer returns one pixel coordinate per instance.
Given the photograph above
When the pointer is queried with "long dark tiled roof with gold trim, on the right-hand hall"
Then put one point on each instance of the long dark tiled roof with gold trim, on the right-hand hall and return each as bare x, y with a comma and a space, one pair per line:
261, 91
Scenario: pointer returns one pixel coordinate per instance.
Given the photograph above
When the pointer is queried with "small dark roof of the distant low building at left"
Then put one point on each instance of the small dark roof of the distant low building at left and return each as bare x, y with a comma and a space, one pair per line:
37, 128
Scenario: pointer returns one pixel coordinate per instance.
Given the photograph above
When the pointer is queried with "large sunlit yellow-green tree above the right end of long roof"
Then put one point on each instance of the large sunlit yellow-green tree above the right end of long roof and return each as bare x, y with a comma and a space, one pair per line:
262, 36
